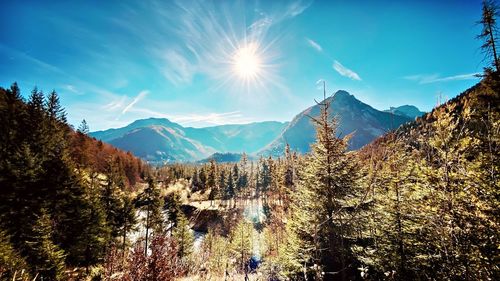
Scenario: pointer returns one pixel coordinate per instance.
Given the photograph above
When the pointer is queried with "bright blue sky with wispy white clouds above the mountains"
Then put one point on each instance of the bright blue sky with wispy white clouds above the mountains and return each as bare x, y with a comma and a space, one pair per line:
116, 61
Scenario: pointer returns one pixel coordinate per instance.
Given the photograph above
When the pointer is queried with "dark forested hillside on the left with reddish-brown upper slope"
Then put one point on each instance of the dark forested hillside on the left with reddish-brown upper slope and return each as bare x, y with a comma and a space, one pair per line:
56, 185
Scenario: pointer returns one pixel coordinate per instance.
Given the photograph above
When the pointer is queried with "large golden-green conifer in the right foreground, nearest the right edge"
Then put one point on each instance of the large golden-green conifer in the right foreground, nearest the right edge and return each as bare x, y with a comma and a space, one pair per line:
457, 237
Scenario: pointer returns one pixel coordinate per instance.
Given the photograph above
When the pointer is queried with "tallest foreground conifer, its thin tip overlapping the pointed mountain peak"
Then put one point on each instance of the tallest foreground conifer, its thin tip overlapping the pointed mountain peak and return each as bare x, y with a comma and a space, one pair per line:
321, 217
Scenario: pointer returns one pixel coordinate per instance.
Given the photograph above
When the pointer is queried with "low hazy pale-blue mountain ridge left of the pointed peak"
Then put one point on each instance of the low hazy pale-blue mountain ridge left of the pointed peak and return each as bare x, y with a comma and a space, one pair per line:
159, 140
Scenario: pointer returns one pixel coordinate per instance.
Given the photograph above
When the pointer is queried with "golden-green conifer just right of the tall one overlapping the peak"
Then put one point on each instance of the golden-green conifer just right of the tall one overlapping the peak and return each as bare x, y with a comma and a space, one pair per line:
398, 193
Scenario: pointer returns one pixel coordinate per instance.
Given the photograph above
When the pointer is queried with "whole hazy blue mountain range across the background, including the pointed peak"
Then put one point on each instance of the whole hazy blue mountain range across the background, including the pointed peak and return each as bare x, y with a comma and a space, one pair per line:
159, 140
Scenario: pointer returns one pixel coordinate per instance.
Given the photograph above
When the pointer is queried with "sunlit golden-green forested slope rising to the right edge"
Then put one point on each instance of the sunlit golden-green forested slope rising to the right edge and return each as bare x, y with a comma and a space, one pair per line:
434, 190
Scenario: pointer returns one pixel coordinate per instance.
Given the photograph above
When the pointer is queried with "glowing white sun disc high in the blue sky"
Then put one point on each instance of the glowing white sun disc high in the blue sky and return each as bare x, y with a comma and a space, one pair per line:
246, 62
